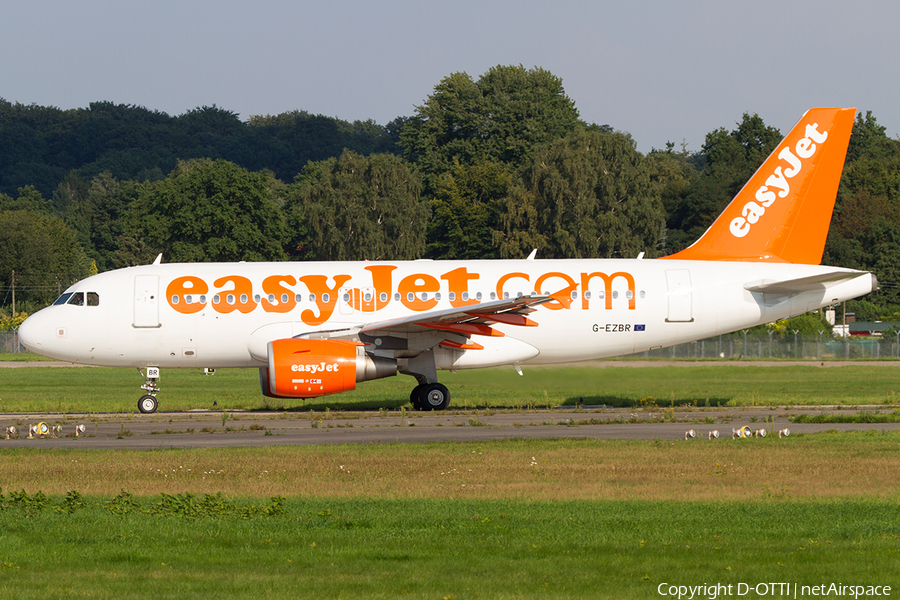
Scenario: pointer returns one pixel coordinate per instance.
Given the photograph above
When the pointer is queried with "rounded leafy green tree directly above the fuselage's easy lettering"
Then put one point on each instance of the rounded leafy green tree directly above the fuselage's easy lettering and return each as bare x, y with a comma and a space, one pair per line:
207, 211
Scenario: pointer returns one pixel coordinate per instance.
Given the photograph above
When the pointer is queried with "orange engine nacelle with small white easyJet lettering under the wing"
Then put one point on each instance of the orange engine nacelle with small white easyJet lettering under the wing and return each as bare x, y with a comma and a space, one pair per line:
304, 368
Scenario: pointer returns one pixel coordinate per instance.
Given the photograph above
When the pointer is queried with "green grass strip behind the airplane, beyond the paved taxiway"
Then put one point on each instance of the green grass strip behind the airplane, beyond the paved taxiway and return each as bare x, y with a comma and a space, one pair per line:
45, 389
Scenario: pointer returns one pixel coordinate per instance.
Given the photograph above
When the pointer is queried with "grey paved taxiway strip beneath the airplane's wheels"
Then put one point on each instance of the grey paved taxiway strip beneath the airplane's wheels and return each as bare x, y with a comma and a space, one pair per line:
208, 429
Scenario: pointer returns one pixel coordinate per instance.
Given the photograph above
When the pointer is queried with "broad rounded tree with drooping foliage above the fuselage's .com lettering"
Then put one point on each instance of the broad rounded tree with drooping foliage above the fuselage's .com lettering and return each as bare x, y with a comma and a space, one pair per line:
589, 195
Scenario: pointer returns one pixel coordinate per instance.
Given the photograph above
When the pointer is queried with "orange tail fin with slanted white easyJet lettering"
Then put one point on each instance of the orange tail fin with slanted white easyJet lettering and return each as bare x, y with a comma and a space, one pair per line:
783, 213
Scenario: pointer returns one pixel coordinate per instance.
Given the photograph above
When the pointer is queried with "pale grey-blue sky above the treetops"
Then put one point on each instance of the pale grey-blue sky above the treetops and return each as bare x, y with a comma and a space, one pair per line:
661, 70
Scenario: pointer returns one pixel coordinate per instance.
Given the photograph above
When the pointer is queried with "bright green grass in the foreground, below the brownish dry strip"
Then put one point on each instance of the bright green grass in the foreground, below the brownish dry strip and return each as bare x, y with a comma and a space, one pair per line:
363, 548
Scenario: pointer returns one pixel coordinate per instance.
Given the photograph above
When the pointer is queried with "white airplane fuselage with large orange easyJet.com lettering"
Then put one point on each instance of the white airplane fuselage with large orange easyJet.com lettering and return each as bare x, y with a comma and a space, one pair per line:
224, 314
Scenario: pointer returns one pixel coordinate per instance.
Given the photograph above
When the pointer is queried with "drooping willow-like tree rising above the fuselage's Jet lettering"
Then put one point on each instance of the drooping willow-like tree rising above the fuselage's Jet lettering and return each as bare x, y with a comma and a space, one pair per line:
358, 208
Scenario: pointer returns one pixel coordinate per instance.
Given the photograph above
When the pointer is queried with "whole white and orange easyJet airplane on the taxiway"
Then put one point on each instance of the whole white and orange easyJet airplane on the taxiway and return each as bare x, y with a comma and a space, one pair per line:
318, 328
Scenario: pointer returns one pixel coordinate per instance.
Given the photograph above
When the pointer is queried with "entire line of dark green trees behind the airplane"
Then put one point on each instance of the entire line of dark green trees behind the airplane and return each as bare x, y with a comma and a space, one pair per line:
491, 167
